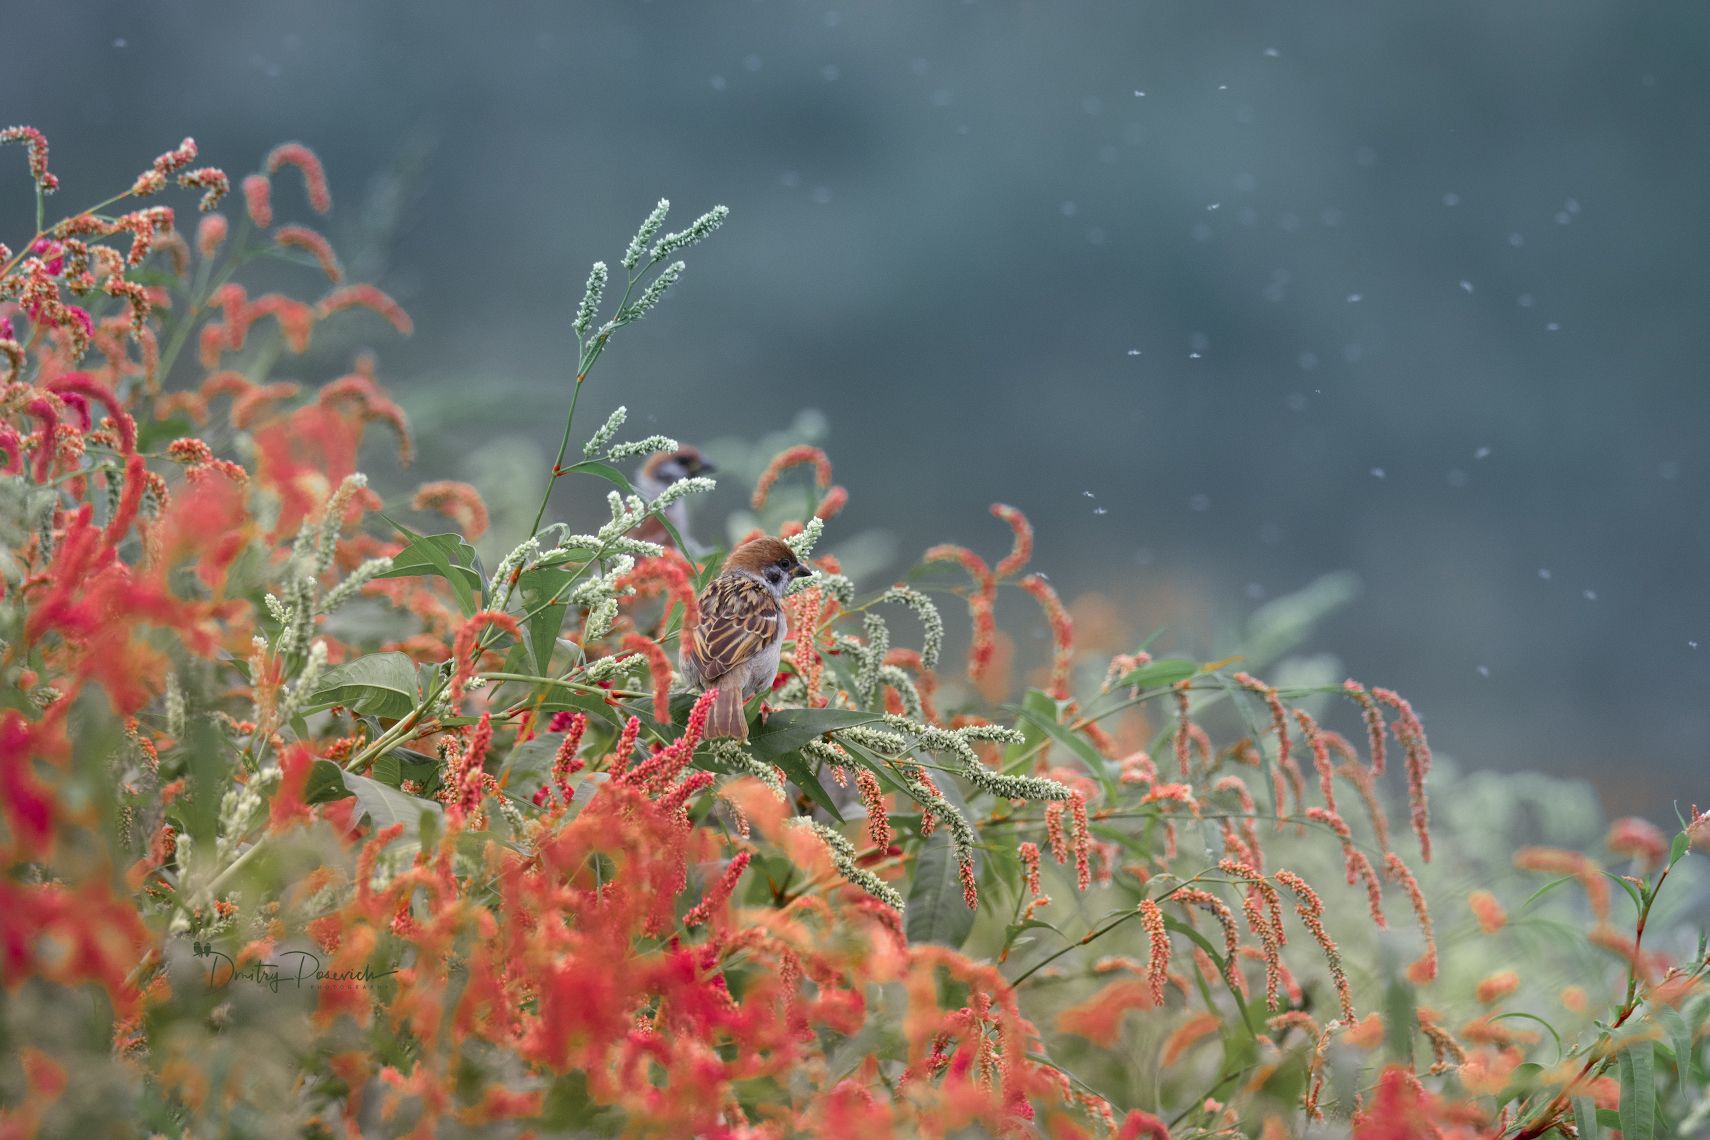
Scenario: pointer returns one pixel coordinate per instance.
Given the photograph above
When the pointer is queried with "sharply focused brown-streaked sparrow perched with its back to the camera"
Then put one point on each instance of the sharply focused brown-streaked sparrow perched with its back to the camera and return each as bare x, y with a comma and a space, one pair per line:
736, 645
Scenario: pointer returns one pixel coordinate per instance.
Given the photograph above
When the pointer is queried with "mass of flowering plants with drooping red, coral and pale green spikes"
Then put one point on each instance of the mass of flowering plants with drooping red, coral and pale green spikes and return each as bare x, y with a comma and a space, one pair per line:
329, 828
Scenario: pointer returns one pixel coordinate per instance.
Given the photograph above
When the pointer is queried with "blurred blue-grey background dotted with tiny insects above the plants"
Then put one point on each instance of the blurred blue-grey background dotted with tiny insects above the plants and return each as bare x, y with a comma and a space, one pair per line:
1225, 297
